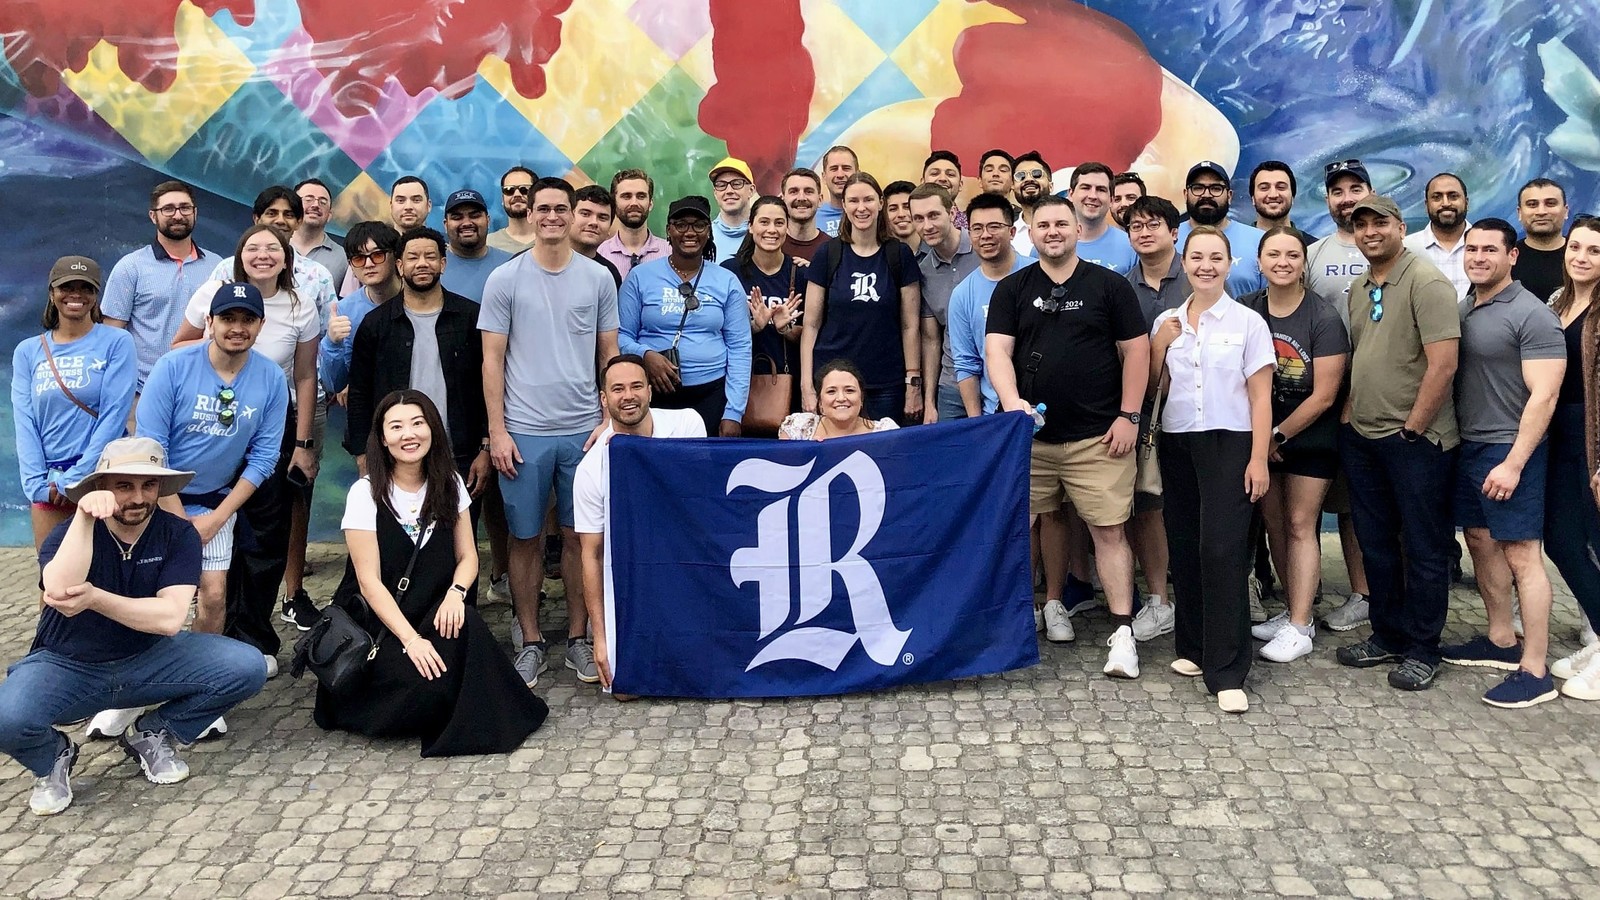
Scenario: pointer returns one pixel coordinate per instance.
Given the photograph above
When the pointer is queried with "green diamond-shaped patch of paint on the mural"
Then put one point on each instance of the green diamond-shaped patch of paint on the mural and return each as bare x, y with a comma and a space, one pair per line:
663, 137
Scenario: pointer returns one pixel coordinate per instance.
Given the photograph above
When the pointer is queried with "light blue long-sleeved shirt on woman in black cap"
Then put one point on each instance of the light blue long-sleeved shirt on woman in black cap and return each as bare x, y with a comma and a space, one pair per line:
716, 337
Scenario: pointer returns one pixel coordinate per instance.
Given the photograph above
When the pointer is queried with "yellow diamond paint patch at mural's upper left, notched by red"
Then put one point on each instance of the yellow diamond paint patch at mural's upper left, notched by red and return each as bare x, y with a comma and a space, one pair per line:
210, 70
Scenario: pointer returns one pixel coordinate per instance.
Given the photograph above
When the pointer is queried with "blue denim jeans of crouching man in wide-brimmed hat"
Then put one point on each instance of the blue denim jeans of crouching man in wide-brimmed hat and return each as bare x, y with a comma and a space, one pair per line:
191, 678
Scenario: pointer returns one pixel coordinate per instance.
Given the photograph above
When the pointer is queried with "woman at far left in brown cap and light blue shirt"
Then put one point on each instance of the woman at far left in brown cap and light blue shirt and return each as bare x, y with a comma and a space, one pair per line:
71, 392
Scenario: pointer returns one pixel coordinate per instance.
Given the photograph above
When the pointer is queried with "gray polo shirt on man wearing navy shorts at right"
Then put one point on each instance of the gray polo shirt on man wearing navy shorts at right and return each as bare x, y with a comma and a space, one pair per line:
1497, 337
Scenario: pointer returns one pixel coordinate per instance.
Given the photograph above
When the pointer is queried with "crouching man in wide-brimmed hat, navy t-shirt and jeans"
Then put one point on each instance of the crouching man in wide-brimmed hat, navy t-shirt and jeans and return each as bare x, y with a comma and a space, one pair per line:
118, 581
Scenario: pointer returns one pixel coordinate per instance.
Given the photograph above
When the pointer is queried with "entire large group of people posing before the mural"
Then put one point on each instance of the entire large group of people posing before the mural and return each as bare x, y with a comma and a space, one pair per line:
1202, 388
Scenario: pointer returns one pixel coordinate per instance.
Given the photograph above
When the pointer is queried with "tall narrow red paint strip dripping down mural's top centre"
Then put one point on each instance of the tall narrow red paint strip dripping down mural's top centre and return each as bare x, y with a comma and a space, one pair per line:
762, 98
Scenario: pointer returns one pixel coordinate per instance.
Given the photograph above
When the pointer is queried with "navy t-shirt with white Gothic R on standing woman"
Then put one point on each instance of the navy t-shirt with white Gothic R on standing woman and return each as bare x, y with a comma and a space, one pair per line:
862, 319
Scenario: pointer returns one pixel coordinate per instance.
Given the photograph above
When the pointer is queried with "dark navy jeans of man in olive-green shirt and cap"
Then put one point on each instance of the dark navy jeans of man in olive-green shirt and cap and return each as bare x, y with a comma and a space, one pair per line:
1401, 505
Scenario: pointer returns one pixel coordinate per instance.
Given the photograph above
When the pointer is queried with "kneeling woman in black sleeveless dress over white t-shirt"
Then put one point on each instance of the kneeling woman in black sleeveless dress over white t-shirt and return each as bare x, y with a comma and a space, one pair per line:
438, 673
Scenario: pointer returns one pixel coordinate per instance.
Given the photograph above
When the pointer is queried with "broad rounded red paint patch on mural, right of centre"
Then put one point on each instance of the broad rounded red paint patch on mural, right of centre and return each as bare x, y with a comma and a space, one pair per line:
1071, 82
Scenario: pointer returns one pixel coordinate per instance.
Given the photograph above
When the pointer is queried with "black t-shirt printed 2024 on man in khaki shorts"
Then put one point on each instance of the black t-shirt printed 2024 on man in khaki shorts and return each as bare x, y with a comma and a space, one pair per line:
1079, 372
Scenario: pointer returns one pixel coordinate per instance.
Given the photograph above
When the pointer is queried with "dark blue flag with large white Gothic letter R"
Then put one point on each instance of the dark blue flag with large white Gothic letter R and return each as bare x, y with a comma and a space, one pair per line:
791, 569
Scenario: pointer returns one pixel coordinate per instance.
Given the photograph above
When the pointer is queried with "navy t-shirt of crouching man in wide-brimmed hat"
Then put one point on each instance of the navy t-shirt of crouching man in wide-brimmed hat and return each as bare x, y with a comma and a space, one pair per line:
166, 555
